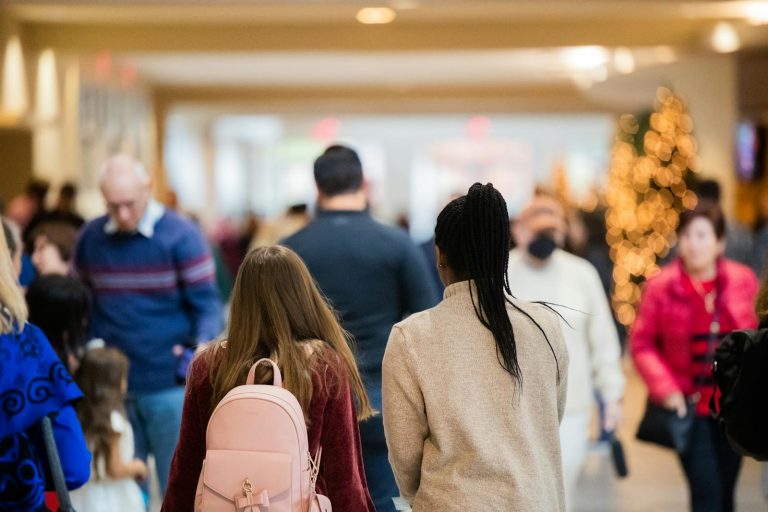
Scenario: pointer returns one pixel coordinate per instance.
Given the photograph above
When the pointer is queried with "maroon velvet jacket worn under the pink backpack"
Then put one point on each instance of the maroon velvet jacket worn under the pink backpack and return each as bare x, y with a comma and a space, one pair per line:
333, 425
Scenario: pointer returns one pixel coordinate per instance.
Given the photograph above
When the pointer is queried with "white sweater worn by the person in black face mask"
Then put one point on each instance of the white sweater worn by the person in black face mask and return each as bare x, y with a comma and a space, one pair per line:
591, 338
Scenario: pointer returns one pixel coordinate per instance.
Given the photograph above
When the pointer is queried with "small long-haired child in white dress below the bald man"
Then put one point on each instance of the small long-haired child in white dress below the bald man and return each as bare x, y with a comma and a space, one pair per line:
102, 377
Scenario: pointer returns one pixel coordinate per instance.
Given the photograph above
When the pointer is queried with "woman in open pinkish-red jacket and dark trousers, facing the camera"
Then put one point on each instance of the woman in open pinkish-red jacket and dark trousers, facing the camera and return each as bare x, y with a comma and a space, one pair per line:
692, 303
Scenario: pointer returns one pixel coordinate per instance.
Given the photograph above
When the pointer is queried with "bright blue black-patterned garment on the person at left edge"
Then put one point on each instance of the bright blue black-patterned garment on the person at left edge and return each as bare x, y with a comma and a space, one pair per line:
34, 383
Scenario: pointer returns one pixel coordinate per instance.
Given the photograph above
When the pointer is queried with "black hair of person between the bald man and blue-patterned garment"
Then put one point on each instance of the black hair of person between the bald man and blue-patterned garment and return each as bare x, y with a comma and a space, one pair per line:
60, 307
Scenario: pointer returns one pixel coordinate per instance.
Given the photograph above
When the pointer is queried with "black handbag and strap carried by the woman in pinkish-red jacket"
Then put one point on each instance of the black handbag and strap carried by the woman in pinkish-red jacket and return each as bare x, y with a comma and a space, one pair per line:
664, 427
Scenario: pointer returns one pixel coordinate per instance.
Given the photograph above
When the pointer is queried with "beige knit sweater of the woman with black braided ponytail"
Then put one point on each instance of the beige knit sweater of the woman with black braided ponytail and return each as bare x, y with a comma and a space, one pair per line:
462, 435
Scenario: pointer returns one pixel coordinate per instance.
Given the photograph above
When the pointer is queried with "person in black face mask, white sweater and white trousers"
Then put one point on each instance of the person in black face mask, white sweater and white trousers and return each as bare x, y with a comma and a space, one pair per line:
539, 270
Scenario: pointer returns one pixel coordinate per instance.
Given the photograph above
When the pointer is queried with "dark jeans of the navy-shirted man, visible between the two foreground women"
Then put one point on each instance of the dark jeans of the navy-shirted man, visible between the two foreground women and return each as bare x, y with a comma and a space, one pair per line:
378, 473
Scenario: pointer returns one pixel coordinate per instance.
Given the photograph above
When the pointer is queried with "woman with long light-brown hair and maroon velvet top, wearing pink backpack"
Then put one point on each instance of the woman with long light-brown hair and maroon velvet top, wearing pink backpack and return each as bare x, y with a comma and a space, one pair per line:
278, 312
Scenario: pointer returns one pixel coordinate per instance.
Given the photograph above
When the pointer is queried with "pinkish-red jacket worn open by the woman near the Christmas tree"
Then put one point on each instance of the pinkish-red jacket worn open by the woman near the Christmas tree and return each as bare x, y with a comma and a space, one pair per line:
660, 339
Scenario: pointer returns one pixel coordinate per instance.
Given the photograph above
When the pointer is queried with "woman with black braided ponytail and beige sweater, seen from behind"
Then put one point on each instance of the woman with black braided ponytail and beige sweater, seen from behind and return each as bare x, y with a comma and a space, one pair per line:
474, 388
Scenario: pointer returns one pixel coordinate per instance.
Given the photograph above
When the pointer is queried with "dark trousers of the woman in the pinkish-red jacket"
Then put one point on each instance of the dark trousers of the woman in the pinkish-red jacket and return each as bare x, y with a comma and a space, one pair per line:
711, 467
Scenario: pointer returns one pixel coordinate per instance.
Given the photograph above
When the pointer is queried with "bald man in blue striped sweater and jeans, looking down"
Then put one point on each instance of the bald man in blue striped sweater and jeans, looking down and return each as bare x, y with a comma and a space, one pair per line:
152, 279
